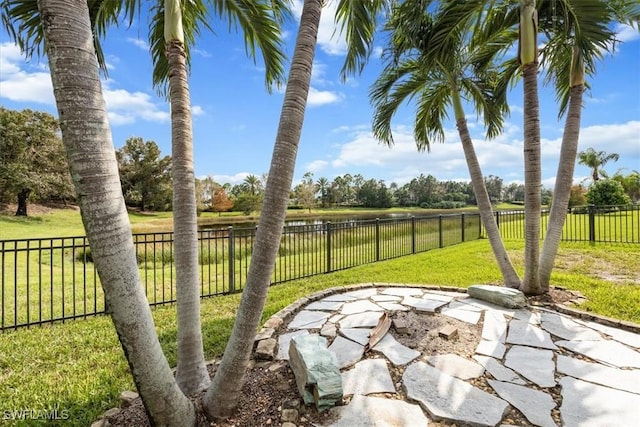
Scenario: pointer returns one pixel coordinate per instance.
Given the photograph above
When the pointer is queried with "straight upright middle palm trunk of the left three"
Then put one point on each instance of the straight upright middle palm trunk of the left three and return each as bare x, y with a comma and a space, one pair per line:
191, 375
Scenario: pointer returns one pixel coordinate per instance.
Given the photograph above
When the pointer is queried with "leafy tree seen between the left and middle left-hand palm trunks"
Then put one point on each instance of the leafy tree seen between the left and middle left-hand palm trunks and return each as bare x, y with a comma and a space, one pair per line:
145, 174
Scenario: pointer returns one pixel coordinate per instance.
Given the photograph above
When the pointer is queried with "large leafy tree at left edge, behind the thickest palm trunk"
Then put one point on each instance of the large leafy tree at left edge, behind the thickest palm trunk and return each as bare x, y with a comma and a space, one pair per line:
32, 160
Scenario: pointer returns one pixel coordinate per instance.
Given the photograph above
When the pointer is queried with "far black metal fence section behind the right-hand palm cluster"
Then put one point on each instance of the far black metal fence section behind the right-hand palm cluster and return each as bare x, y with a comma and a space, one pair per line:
596, 224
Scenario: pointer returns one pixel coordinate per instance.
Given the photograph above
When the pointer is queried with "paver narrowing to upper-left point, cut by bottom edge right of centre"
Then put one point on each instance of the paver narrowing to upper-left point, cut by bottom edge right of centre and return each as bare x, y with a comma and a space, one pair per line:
535, 405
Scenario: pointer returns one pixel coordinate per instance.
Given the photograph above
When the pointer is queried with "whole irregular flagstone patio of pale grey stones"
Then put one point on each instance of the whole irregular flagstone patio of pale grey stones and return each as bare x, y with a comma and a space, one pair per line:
549, 366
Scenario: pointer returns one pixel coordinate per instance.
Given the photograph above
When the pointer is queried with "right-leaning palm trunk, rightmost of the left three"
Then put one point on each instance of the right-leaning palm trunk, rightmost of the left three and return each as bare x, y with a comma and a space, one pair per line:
222, 397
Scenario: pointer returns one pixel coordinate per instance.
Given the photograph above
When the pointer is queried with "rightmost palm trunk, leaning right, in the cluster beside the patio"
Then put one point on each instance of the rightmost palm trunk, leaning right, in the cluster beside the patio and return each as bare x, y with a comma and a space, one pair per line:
564, 176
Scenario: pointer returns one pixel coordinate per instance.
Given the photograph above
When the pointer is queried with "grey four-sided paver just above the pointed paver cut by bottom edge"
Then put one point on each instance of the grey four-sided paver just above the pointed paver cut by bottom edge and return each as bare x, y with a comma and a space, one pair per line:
534, 364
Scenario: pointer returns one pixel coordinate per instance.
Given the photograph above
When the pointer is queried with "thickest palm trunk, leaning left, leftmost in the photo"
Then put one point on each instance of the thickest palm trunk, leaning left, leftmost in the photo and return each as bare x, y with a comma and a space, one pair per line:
91, 156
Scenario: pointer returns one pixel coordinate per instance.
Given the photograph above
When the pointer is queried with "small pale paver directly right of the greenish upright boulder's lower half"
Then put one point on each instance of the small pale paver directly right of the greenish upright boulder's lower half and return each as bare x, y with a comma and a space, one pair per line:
366, 377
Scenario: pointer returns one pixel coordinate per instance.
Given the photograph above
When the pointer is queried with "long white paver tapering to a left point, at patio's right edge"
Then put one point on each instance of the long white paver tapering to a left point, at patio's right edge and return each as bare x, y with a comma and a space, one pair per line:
611, 352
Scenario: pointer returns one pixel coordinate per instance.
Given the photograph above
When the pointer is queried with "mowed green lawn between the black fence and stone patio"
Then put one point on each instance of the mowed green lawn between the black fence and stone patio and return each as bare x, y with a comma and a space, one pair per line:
79, 366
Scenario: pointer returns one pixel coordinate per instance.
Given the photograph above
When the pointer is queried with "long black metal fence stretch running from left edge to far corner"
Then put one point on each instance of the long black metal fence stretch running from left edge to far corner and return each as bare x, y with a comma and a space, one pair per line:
54, 279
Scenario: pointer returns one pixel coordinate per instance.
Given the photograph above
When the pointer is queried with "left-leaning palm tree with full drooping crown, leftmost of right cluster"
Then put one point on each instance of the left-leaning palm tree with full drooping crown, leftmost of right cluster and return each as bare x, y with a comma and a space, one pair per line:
438, 83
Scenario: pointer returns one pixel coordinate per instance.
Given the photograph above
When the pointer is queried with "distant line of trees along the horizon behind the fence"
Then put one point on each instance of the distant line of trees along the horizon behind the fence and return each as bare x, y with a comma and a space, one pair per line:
33, 168
